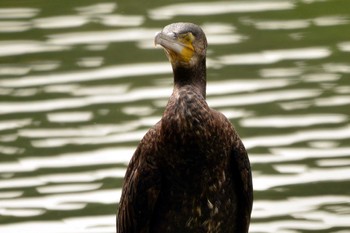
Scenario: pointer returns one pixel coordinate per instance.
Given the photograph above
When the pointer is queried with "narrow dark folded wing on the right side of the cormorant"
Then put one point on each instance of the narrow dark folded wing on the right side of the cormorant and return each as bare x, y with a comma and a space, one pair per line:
243, 178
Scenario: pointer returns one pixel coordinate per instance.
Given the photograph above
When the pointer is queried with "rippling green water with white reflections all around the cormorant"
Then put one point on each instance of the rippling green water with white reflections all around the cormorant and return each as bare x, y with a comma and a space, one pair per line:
81, 83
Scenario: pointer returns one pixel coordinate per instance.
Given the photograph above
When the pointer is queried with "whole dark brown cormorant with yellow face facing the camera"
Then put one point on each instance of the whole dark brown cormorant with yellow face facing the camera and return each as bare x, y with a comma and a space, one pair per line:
190, 173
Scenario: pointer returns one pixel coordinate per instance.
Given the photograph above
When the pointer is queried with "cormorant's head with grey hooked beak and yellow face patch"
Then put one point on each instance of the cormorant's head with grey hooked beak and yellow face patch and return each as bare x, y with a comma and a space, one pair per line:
185, 44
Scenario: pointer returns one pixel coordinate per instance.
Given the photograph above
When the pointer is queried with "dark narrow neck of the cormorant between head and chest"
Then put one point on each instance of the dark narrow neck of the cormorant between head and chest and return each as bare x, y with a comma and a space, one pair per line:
194, 76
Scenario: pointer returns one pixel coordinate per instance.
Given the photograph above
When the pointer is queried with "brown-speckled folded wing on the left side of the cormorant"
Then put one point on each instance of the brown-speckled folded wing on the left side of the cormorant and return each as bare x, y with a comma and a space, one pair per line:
141, 188
